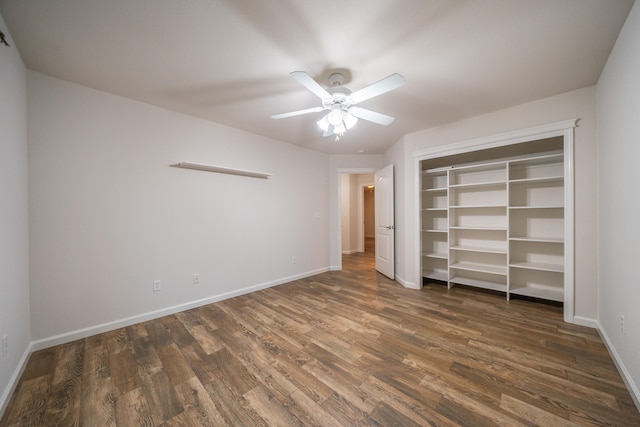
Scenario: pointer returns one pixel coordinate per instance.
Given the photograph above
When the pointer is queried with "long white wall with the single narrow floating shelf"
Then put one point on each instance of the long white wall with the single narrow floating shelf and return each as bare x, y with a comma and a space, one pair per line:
108, 214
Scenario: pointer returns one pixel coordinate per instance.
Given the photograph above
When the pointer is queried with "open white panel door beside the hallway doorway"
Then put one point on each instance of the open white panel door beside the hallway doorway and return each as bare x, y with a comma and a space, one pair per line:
385, 226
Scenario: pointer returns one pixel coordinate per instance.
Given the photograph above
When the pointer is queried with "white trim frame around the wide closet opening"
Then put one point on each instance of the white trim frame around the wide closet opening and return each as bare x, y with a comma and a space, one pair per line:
566, 130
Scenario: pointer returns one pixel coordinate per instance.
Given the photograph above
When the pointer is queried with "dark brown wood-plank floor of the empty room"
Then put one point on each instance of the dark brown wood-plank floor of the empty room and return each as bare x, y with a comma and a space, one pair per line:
340, 348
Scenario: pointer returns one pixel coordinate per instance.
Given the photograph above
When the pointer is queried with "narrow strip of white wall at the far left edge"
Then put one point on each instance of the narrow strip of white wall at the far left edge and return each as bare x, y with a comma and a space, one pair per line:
14, 235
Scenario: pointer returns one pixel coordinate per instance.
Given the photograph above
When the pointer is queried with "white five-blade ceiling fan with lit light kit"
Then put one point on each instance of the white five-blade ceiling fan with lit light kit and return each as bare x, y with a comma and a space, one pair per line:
342, 104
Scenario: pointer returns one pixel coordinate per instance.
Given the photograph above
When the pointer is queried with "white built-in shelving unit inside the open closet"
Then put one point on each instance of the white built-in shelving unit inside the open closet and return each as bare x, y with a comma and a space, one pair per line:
496, 225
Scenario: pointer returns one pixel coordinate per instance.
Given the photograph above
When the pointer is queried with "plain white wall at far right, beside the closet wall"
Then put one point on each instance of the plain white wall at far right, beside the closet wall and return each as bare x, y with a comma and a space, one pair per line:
618, 97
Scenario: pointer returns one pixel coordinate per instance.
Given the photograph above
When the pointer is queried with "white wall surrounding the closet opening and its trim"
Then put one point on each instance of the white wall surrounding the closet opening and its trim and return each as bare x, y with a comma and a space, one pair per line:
576, 104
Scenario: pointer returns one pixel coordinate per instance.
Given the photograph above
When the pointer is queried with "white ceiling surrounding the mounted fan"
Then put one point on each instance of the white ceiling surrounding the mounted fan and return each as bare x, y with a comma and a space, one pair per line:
229, 61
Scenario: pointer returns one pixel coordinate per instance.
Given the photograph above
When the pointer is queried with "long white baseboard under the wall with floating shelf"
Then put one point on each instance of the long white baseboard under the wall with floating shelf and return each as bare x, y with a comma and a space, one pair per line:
121, 323
